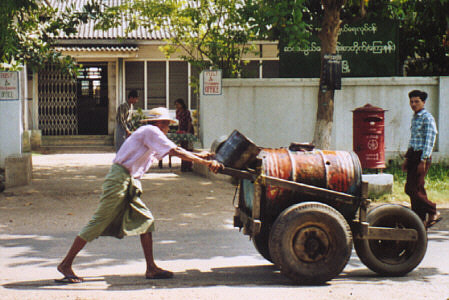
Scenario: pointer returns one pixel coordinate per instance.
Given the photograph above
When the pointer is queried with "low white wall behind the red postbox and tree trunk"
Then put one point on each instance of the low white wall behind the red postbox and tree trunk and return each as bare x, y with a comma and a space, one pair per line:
276, 112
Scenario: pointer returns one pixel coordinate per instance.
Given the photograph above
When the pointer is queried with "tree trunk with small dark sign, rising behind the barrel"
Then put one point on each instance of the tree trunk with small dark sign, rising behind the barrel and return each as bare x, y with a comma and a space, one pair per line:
325, 110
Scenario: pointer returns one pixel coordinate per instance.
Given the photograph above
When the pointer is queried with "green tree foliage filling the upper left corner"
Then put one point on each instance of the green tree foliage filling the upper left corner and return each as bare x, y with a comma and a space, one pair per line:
27, 31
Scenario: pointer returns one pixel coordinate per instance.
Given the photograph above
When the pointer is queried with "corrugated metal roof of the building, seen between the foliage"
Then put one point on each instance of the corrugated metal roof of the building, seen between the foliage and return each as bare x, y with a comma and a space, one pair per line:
87, 31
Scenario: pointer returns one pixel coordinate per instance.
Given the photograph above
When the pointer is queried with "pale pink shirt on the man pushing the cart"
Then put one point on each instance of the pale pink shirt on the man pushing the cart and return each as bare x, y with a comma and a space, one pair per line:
141, 148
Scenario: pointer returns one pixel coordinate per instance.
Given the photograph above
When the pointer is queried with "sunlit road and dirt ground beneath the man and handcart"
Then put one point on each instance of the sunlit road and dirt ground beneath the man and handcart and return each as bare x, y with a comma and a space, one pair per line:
194, 238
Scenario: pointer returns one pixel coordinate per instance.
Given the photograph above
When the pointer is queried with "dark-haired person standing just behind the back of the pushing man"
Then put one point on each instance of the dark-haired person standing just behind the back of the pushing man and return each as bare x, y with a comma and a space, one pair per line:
123, 119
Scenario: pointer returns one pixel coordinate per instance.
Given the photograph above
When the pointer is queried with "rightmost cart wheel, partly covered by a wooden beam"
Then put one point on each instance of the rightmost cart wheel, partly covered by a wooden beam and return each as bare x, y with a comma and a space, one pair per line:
393, 258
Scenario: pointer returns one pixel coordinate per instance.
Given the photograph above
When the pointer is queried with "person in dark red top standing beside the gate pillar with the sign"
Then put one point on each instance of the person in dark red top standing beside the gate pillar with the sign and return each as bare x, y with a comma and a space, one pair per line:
184, 126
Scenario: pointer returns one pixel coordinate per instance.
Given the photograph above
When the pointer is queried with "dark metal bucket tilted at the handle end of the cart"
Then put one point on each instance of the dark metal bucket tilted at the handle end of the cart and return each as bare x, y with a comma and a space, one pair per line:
237, 151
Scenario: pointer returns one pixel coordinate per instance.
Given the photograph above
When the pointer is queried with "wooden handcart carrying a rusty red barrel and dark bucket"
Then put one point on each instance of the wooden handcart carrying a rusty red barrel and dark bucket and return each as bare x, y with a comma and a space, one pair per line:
305, 208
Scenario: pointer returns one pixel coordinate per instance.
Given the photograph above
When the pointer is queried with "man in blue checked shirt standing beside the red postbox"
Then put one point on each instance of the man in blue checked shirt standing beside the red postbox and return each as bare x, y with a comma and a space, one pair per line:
418, 159
